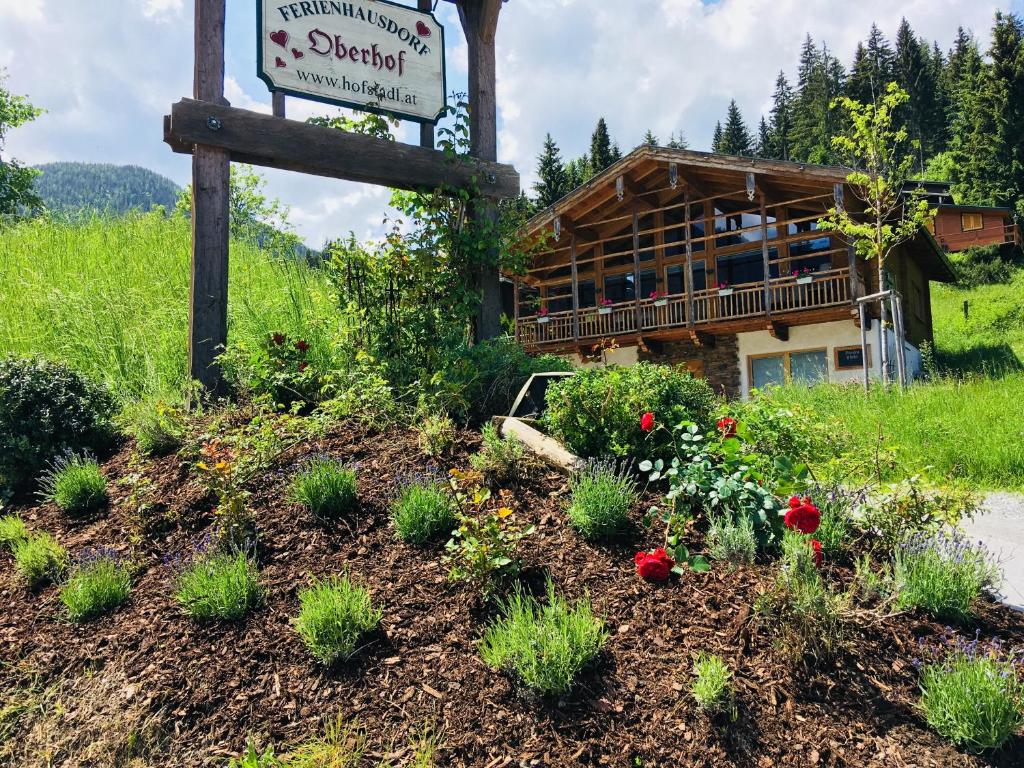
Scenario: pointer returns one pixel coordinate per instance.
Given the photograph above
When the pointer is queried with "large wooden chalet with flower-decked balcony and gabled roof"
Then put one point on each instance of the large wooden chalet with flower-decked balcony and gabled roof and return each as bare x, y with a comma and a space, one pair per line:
716, 263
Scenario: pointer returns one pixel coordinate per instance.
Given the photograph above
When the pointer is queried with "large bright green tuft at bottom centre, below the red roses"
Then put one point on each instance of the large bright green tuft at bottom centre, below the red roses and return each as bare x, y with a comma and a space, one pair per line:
544, 646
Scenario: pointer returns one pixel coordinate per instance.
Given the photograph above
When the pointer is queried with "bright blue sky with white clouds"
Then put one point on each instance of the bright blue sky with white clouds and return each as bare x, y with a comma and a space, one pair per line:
107, 72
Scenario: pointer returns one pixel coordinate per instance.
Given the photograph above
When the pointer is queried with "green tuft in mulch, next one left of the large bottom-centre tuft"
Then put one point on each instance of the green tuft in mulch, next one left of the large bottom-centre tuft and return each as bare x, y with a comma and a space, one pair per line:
335, 615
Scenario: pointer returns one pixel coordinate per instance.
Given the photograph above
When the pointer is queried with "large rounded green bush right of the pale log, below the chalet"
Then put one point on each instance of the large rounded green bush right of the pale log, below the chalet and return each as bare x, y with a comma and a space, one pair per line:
598, 412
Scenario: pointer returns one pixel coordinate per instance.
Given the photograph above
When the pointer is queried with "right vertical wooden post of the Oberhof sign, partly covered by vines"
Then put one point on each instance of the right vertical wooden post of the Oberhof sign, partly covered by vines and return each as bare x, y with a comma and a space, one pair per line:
480, 22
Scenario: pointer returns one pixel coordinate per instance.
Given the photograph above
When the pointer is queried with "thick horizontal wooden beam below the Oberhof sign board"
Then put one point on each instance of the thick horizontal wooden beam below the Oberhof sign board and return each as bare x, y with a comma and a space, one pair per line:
274, 143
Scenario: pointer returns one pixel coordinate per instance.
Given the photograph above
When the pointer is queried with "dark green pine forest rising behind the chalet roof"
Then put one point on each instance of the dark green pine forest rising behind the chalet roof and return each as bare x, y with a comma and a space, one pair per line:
965, 115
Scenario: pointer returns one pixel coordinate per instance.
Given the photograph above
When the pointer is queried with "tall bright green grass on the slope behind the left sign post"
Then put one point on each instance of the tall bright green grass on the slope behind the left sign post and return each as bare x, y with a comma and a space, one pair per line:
110, 297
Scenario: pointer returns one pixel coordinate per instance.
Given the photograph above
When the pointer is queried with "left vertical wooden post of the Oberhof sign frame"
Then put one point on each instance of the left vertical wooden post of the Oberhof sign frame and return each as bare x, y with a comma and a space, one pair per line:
208, 286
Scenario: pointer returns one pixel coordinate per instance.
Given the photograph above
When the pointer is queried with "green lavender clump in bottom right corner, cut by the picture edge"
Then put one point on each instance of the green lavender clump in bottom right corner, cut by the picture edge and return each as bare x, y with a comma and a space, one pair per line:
973, 699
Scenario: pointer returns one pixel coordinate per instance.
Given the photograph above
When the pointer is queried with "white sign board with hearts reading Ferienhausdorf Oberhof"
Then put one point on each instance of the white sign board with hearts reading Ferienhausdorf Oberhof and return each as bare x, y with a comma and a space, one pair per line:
368, 55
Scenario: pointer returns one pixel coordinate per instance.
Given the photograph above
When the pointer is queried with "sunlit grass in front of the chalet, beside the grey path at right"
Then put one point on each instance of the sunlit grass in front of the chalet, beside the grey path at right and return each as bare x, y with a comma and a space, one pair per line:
967, 430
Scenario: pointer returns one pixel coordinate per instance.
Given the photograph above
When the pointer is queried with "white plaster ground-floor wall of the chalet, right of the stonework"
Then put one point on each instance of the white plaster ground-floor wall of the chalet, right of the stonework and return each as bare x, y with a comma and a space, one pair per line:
825, 335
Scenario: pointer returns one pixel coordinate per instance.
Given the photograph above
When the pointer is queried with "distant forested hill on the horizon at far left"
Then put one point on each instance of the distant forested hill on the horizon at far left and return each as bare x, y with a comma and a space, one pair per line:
71, 188
